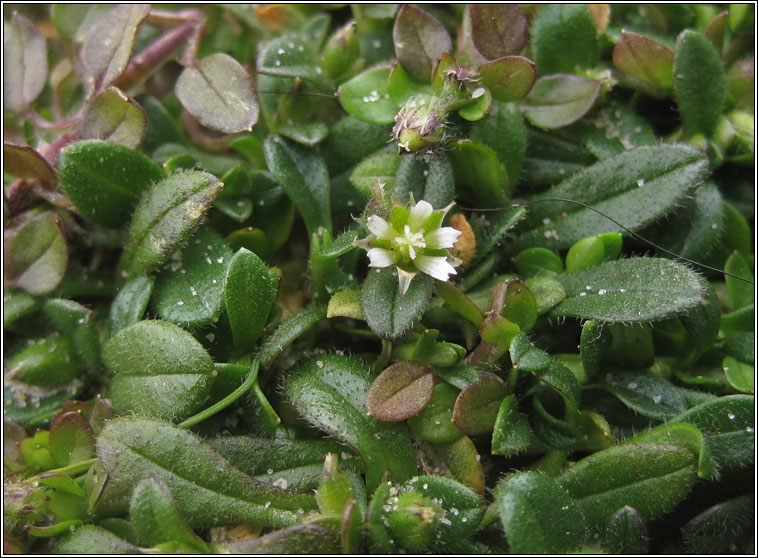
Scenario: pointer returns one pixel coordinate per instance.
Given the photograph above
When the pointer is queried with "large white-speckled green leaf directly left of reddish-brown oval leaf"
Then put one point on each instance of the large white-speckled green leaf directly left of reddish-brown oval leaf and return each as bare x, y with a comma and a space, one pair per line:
330, 392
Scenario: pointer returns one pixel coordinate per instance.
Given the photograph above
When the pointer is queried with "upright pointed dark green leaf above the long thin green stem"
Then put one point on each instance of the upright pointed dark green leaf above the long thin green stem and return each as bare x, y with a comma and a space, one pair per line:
249, 292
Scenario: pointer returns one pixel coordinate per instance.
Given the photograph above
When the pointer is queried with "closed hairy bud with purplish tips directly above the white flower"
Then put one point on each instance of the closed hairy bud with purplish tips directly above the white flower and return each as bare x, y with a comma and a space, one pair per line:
419, 125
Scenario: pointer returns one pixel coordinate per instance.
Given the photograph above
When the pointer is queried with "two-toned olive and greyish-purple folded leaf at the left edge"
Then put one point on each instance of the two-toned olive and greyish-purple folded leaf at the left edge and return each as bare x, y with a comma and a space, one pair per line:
37, 254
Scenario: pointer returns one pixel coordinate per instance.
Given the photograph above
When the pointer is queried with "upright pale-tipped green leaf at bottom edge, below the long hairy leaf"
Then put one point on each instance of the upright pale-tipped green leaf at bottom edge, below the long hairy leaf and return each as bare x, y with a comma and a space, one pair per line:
156, 520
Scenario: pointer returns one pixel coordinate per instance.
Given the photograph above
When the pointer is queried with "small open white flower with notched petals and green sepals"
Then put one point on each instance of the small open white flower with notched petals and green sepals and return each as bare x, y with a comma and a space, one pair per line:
414, 241
